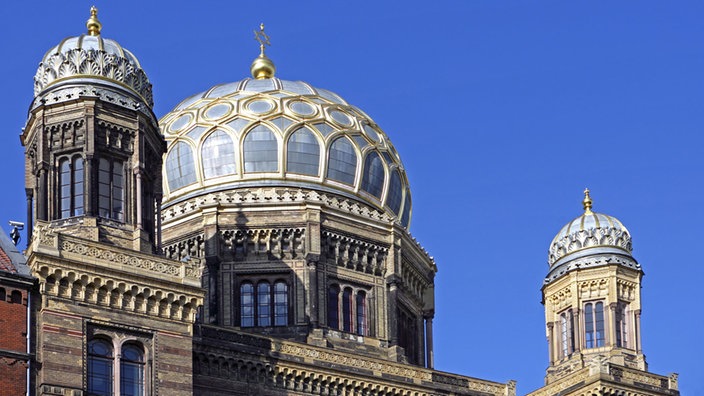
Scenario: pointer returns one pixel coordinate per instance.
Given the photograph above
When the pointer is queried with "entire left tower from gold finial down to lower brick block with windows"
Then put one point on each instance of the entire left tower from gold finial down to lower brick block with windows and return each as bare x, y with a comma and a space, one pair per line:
112, 317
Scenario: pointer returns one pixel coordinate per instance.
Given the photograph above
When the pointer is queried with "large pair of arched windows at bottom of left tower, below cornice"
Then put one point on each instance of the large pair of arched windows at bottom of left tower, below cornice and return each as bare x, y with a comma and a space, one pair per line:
103, 361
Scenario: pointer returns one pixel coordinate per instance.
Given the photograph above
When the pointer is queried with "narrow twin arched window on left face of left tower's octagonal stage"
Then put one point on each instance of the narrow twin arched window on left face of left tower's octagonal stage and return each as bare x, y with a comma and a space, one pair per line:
71, 187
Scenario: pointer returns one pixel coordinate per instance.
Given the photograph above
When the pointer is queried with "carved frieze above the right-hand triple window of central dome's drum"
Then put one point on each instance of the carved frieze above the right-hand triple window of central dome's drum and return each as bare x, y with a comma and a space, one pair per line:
353, 253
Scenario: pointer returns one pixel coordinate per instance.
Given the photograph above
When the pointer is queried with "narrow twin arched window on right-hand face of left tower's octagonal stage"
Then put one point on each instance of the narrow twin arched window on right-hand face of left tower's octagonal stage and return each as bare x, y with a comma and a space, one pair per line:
111, 189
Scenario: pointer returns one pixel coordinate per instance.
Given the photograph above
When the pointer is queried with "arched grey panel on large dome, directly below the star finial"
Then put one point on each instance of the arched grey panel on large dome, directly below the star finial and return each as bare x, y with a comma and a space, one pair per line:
261, 150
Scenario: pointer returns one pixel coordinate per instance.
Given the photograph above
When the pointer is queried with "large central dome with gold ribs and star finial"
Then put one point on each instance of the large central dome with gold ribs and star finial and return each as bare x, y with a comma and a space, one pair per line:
266, 131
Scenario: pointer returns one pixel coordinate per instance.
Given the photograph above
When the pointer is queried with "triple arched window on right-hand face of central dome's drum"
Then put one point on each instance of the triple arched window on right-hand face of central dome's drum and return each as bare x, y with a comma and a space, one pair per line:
347, 310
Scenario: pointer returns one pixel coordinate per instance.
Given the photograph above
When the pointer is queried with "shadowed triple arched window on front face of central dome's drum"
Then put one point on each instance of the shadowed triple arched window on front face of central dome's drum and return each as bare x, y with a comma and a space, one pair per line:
263, 306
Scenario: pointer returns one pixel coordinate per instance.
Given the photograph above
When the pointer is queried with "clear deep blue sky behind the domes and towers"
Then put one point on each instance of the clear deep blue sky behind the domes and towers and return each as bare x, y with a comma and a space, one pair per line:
502, 111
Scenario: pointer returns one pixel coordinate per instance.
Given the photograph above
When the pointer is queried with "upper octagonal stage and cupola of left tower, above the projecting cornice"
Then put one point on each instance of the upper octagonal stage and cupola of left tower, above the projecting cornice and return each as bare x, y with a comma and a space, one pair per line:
92, 144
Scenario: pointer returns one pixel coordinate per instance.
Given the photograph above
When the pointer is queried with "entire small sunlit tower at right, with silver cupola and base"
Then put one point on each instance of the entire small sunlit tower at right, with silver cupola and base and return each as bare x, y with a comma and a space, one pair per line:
592, 310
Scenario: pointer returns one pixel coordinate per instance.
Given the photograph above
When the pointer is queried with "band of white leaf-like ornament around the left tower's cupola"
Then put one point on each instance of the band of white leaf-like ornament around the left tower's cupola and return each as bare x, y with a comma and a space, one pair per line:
80, 62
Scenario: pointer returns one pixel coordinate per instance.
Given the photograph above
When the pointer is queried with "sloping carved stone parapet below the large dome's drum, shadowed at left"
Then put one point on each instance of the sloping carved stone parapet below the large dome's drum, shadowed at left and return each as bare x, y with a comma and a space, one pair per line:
228, 357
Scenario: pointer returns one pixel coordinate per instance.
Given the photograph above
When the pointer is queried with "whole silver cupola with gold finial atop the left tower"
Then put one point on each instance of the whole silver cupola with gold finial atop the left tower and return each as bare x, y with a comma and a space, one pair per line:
91, 65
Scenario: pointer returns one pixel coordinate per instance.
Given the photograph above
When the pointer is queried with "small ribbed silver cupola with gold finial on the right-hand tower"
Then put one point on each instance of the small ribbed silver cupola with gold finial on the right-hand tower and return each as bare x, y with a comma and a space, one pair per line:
587, 236
